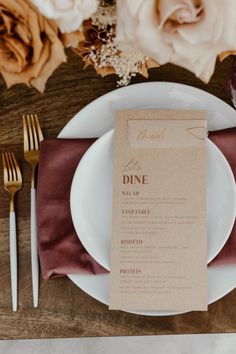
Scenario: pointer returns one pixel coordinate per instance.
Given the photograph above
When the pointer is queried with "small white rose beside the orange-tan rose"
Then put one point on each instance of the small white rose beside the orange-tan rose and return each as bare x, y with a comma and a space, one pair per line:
69, 14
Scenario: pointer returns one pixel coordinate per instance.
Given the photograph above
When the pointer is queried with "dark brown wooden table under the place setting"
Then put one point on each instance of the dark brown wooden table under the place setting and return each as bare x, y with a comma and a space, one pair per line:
64, 310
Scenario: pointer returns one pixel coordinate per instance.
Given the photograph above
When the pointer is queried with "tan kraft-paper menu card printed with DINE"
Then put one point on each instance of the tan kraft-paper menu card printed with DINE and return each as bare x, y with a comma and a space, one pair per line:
159, 235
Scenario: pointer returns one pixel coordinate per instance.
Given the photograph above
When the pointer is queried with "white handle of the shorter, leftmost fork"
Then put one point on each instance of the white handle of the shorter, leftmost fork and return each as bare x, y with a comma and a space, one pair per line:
13, 259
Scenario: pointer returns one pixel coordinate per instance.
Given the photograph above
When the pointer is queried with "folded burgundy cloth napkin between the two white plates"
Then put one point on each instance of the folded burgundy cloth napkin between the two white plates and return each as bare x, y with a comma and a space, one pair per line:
60, 250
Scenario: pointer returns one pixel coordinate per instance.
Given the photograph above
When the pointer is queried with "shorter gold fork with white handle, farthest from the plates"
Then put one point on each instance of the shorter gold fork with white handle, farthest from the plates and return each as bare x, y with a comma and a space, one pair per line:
12, 183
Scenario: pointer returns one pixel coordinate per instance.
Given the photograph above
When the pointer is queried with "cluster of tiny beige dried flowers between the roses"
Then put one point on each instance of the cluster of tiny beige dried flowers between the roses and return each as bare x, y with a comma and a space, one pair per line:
99, 50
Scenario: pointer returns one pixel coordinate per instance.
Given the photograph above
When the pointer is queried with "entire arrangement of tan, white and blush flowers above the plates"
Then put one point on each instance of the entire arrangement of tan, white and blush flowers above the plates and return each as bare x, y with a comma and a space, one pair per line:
124, 37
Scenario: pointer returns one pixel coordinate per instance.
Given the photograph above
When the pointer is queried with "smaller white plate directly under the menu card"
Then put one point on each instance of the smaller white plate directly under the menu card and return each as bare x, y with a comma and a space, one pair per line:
91, 199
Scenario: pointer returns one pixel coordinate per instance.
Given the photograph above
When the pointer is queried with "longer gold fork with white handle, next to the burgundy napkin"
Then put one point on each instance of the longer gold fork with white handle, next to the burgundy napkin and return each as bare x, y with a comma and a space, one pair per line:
32, 138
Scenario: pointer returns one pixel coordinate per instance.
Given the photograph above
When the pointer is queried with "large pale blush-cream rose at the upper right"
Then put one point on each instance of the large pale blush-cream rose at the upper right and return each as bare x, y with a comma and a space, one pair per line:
188, 33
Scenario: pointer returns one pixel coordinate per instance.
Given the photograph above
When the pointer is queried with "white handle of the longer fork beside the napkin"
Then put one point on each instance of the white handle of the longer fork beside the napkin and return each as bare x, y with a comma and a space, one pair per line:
34, 249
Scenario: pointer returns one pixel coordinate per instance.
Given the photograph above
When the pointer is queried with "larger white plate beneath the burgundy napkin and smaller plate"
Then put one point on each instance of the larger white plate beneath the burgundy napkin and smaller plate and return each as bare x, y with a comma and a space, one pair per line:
97, 118
